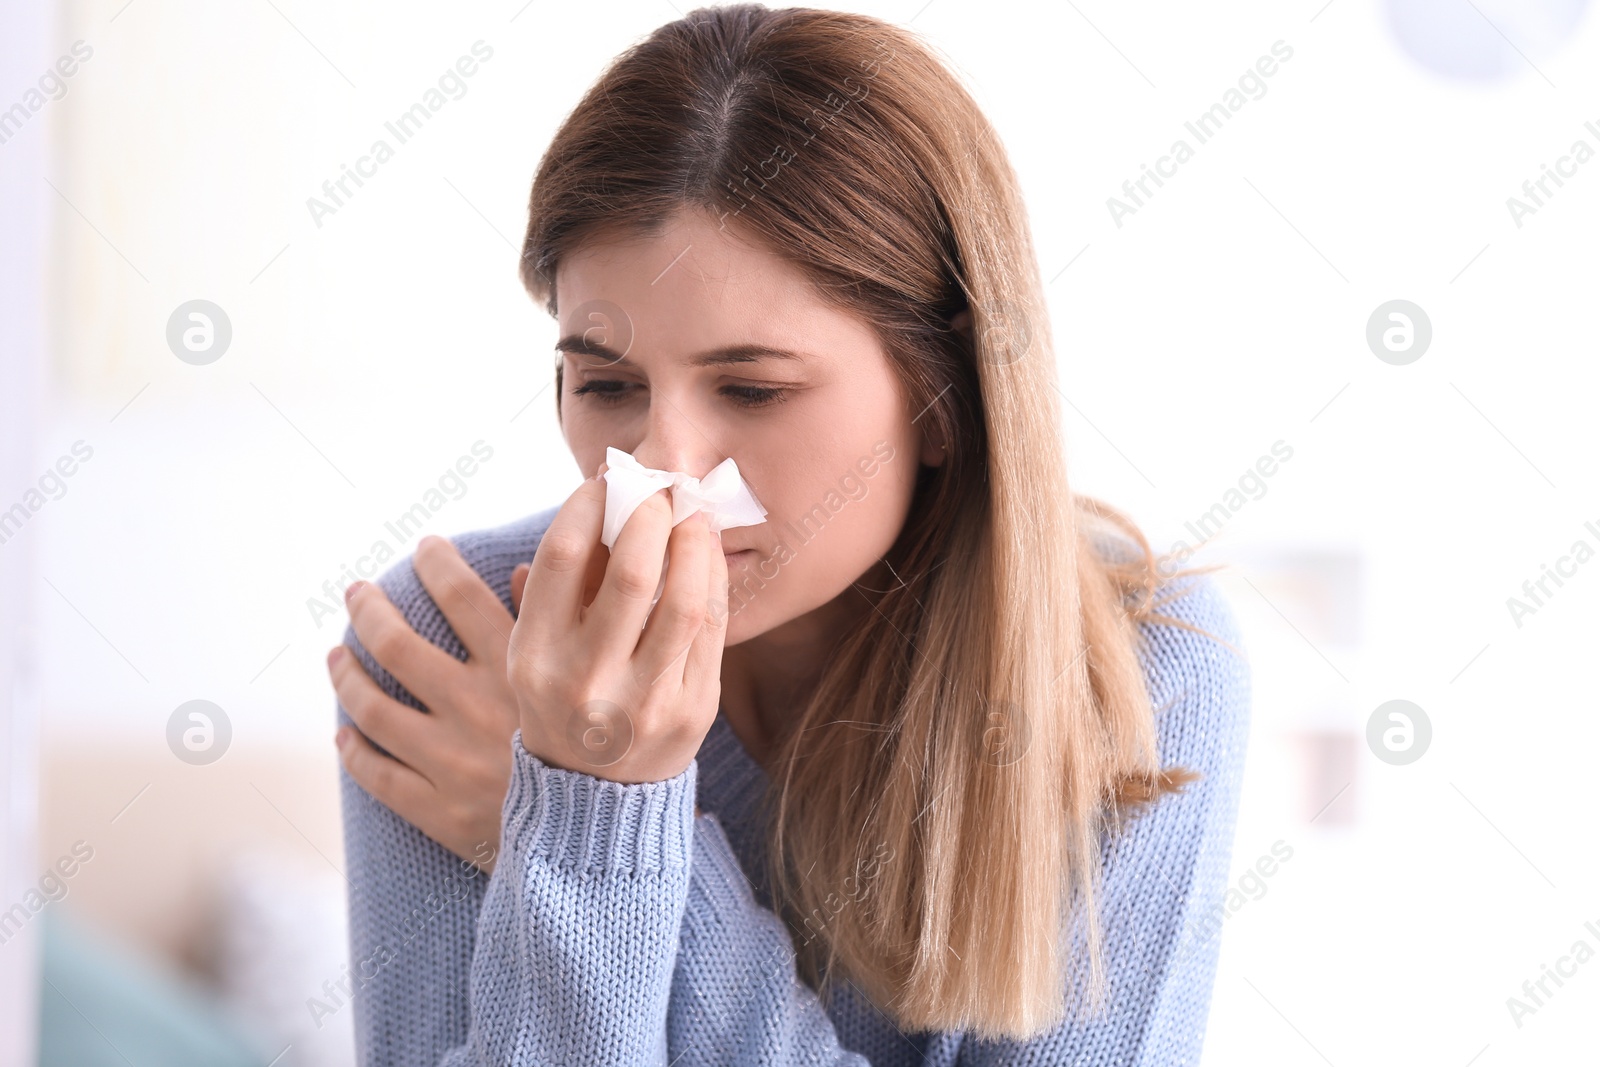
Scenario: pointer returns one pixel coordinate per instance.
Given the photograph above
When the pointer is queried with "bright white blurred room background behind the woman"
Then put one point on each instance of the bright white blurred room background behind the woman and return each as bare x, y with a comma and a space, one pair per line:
1346, 338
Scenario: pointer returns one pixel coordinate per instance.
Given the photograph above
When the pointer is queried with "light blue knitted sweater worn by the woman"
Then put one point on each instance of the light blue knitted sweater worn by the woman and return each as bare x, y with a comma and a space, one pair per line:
620, 929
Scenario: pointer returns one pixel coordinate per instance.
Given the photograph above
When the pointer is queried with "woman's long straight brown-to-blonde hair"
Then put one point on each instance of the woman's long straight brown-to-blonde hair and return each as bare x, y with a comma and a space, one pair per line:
935, 818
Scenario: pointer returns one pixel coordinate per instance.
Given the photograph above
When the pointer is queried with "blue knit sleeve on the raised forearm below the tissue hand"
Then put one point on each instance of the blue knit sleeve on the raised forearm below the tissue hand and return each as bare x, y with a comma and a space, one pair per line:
580, 927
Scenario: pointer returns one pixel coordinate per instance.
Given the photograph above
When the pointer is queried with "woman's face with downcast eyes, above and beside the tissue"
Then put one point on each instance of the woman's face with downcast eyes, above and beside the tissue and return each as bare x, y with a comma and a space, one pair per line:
825, 438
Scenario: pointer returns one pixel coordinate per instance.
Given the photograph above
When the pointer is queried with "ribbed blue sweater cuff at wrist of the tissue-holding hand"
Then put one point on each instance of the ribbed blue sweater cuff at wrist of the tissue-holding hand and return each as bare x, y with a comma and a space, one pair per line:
586, 823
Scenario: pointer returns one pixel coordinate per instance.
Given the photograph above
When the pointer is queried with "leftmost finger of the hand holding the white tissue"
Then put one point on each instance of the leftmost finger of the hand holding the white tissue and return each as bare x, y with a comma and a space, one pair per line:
561, 567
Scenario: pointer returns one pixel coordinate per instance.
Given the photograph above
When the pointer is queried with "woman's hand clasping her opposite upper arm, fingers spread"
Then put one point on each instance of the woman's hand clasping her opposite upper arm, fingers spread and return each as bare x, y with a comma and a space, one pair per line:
449, 770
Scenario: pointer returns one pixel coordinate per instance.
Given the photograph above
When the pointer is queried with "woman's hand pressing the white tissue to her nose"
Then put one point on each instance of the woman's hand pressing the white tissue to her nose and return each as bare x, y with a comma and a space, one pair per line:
599, 690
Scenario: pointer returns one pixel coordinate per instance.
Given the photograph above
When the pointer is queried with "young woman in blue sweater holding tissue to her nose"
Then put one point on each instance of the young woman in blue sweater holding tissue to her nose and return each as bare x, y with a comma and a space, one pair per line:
862, 788
